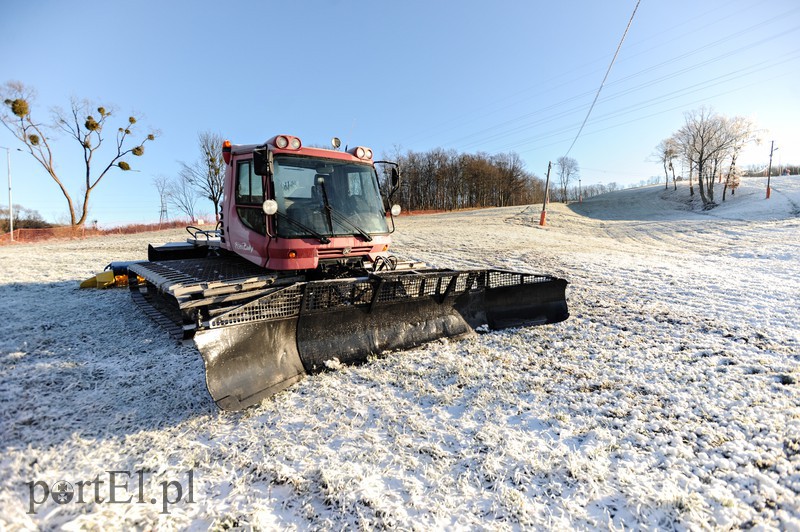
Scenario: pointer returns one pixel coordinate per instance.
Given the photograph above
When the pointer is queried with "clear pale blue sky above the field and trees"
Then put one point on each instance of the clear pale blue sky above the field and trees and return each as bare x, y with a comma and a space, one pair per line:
471, 76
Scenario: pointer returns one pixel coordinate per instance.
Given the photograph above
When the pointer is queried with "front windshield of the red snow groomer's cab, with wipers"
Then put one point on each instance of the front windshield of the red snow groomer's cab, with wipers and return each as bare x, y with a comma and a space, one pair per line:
333, 198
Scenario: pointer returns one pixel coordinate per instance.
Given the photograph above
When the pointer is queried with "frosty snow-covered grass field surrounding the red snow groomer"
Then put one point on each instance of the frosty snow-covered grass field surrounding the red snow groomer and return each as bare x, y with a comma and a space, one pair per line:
670, 398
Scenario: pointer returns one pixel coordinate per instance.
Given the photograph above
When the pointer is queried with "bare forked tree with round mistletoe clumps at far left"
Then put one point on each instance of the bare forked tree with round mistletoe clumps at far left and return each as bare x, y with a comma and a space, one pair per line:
83, 122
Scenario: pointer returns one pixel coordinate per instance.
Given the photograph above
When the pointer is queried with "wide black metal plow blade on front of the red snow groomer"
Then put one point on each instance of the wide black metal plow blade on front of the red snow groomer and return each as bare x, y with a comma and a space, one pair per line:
260, 347
